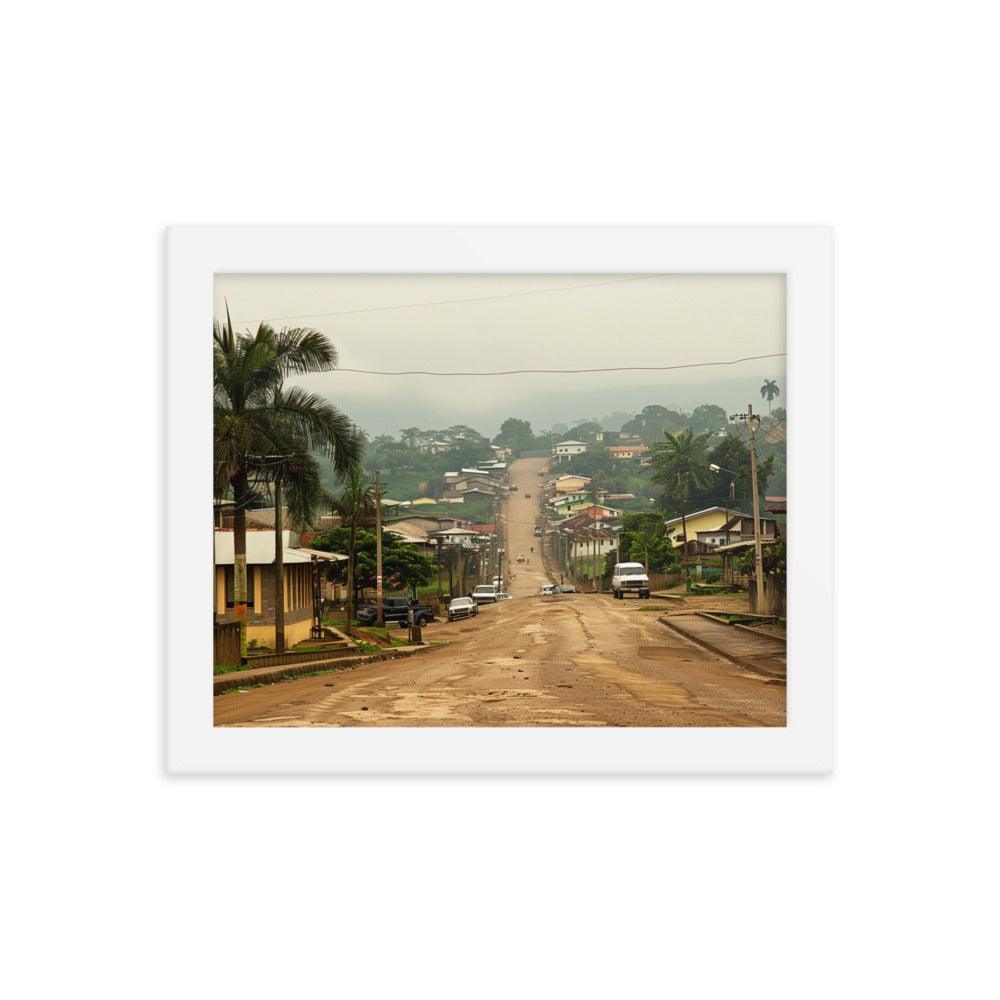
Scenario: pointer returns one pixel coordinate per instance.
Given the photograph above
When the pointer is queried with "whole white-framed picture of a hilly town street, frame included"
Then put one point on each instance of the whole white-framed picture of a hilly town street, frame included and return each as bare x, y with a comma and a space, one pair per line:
499, 499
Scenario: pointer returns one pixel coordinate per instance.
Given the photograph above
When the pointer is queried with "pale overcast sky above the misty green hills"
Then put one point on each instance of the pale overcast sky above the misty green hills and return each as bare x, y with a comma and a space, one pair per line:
394, 322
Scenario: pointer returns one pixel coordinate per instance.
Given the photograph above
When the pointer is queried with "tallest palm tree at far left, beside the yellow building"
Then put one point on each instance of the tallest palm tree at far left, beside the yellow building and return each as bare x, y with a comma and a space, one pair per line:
255, 418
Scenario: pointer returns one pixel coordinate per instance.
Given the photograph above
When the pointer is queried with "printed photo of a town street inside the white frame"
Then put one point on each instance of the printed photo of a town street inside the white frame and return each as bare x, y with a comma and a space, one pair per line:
499, 500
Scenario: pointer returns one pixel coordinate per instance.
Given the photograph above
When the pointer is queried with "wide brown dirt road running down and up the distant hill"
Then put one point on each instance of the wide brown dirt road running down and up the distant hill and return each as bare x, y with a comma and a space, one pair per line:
570, 660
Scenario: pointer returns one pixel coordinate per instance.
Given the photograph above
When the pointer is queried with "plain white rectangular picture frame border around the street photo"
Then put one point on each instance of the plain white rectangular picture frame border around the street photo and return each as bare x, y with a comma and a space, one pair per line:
195, 254
